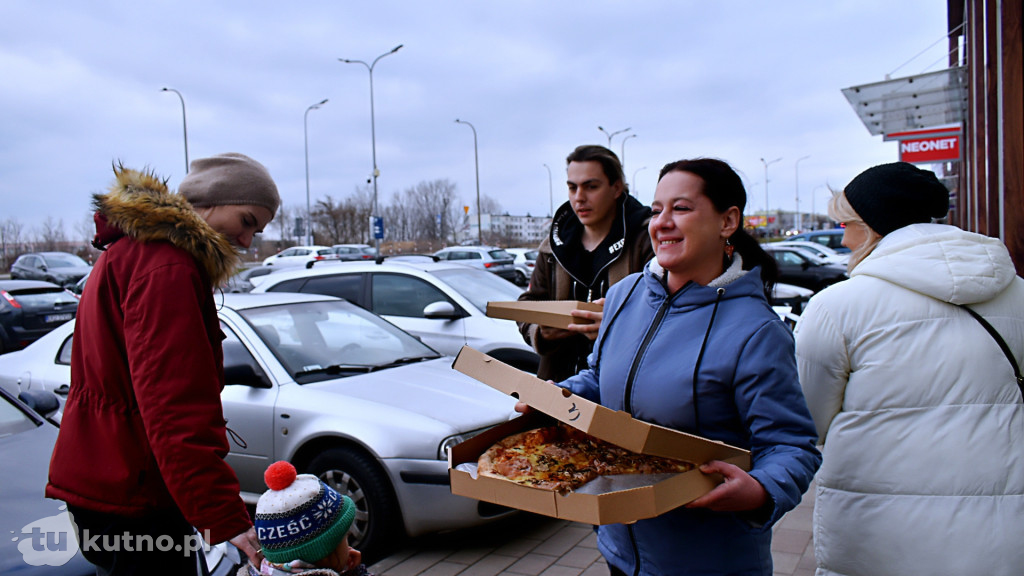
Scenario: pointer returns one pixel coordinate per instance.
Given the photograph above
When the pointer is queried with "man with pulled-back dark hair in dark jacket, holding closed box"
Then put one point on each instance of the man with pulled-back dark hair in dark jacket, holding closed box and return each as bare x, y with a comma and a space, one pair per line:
596, 239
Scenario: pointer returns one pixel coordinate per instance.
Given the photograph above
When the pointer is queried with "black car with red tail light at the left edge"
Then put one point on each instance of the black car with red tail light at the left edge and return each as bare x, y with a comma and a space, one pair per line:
30, 309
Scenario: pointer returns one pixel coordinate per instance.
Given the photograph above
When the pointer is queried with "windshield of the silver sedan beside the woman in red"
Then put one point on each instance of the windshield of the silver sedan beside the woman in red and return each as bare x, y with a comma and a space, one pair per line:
328, 340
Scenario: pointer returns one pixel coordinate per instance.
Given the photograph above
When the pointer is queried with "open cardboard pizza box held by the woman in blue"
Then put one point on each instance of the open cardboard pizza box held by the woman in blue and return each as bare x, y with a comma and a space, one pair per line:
590, 507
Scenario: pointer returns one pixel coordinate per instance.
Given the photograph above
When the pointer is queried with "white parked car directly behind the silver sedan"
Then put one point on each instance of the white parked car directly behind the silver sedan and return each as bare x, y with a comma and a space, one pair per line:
443, 304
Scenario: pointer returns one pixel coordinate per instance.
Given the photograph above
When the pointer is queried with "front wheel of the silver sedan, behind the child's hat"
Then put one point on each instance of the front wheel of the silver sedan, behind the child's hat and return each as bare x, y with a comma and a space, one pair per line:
357, 475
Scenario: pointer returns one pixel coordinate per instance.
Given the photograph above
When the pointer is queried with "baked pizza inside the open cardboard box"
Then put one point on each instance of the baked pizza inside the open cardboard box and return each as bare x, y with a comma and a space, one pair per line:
563, 459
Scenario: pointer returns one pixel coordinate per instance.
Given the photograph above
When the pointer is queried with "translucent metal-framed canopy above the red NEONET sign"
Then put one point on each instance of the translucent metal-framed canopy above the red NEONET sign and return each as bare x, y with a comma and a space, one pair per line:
936, 99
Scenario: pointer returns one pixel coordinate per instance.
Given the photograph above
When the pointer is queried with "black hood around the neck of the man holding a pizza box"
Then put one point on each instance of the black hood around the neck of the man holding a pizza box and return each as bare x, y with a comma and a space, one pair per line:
567, 231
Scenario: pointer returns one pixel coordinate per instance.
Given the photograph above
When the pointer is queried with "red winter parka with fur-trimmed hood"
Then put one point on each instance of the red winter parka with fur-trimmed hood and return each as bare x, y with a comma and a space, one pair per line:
143, 428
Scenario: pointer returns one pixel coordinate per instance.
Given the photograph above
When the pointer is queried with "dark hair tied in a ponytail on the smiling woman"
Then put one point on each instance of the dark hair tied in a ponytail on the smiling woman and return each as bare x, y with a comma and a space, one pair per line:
726, 189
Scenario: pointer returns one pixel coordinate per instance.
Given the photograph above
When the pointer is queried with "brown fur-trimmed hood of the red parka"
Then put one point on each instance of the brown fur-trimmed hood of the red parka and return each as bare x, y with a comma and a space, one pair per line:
141, 207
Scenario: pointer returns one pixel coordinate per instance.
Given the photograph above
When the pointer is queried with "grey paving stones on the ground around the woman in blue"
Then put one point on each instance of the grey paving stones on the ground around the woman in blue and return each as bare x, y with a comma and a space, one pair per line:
535, 546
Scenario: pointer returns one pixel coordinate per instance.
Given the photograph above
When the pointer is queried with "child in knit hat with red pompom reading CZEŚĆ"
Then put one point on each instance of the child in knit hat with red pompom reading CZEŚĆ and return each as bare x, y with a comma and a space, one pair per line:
303, 525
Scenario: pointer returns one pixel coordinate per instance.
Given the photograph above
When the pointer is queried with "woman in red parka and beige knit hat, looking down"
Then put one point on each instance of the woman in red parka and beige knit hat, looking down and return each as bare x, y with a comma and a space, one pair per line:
140, 459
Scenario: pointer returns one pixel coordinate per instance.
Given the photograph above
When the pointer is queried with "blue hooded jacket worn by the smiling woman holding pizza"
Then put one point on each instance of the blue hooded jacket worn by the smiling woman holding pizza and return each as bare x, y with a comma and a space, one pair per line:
724, 346
